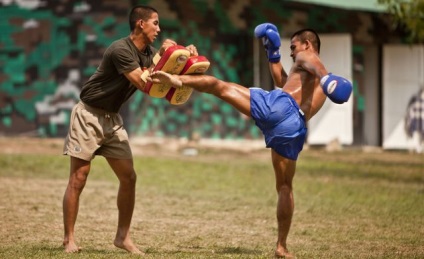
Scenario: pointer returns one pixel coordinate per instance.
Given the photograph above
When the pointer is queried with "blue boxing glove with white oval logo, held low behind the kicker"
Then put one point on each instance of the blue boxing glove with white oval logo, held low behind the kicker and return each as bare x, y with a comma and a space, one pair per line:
337, 88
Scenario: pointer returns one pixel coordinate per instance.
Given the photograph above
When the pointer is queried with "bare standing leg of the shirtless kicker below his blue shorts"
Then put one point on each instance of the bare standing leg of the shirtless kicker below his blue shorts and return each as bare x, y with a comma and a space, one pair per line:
284, 172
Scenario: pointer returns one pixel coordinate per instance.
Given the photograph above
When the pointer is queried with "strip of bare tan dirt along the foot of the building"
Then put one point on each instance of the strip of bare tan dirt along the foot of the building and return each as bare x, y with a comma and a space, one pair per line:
218, 150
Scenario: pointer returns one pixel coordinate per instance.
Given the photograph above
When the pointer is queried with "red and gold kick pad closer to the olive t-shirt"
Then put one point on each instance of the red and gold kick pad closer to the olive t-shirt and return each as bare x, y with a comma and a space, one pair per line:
172, 61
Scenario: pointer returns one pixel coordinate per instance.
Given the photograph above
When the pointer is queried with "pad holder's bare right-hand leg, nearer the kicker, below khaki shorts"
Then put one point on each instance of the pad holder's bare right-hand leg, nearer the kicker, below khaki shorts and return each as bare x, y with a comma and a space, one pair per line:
124, 170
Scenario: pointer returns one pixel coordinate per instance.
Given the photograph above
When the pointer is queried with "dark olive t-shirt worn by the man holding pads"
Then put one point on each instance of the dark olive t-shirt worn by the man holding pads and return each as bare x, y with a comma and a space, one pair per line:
108, 88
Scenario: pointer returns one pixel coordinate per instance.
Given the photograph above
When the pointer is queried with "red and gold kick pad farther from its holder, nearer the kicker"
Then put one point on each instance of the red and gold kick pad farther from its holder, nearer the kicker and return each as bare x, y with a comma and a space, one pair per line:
194, 65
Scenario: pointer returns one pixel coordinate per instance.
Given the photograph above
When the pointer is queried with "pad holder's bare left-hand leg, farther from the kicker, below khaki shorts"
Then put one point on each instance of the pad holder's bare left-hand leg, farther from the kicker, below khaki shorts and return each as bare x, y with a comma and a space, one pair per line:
77, 179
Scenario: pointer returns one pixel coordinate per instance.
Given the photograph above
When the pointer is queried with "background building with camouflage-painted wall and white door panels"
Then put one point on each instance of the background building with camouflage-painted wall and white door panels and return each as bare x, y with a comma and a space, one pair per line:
49, 48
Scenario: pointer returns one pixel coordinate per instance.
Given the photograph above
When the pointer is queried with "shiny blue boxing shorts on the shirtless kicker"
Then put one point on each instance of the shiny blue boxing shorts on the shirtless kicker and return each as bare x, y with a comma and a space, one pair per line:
280, 119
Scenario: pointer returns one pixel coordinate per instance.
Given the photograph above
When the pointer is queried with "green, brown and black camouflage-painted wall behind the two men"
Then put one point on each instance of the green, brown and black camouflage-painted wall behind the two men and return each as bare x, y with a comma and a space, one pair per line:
48, 49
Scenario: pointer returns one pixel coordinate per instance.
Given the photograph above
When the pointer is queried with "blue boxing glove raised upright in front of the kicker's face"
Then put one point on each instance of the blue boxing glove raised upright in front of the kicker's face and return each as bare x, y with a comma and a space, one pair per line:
268, 32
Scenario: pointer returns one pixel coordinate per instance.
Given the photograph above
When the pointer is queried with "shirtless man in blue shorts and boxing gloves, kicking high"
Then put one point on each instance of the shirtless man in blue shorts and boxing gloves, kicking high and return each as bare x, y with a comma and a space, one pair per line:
280, 114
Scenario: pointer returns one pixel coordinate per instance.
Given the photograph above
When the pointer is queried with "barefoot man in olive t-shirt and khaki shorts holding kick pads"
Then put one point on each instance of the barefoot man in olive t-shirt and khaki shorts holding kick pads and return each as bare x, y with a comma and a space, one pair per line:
96, 128
